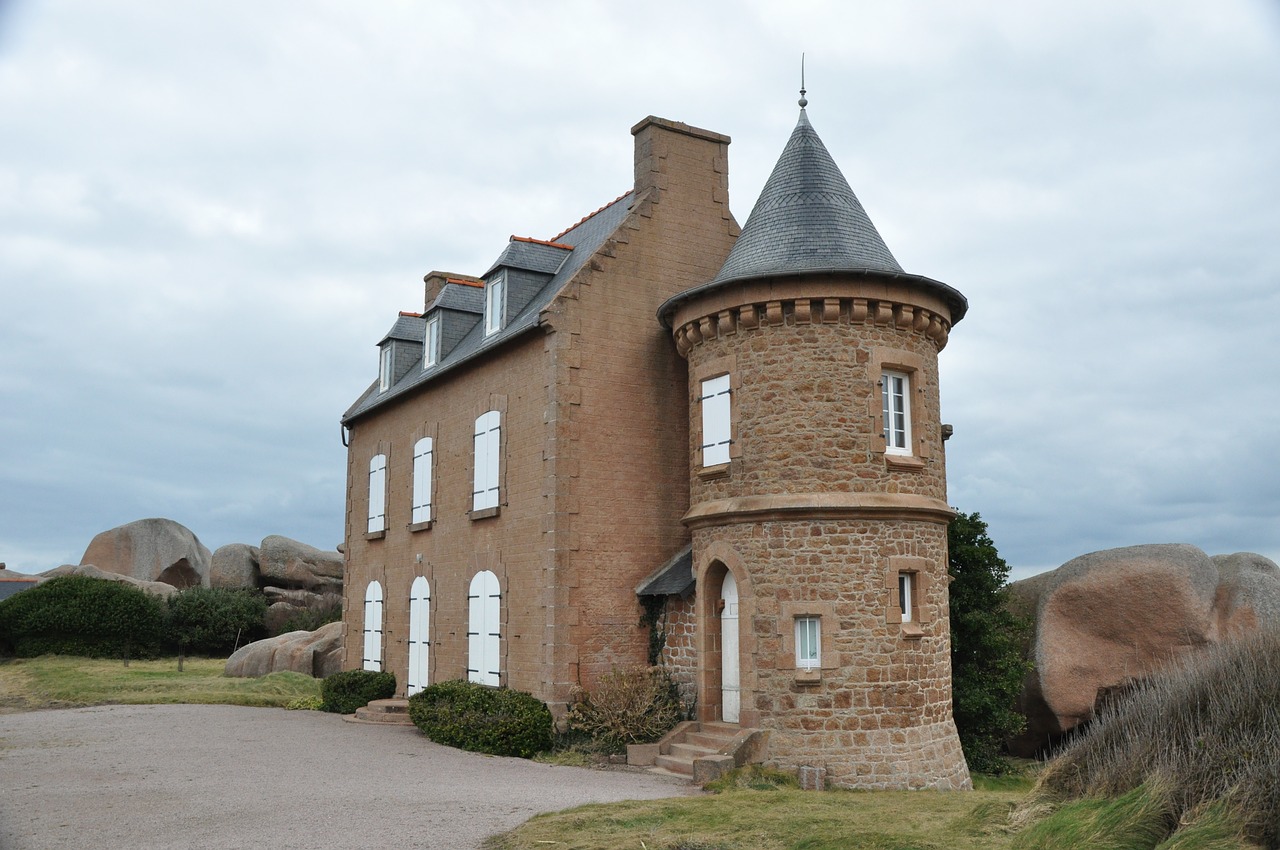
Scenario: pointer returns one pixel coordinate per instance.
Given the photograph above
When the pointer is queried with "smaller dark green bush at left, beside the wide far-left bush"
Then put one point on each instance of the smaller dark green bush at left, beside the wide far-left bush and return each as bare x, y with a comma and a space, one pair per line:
212, 621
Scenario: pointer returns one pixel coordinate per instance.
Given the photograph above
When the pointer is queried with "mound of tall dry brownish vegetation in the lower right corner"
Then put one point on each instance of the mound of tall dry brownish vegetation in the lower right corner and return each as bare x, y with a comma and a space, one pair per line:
1206, 729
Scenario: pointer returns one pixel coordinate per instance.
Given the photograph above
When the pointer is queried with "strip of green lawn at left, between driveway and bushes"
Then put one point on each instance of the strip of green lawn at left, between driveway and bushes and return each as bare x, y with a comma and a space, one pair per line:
65, 682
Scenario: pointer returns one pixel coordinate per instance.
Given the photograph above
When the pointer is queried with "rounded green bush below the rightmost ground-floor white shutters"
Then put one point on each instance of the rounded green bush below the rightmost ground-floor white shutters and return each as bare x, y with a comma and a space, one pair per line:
476, 718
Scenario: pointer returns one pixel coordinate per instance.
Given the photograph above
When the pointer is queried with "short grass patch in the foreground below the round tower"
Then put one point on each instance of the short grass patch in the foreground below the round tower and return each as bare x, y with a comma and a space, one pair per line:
780, 819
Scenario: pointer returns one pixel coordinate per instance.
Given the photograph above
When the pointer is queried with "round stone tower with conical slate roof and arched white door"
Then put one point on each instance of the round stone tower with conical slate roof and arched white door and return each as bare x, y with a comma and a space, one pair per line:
819, 488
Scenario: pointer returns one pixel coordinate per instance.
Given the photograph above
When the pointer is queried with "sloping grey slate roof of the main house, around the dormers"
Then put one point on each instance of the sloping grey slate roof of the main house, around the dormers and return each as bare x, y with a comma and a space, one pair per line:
586, 239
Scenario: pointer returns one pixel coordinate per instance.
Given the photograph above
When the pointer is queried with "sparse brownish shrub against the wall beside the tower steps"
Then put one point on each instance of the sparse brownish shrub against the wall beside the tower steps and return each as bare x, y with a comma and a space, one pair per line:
636, 706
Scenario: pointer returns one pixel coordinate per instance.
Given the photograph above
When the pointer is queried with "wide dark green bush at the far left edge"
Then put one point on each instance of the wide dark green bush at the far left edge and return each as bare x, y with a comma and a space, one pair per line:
83, 616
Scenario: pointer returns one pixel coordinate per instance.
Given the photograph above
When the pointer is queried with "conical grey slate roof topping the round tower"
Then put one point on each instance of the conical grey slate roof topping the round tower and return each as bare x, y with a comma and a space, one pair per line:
808, 221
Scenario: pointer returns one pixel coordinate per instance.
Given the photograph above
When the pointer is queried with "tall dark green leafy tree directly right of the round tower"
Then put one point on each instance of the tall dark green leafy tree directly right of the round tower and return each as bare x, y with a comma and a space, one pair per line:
988, 666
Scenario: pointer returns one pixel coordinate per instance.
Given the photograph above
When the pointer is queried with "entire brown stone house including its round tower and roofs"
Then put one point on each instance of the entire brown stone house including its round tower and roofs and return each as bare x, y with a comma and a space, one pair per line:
652, 438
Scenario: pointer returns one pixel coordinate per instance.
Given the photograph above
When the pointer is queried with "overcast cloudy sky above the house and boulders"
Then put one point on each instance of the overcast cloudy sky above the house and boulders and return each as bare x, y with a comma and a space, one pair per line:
211, 213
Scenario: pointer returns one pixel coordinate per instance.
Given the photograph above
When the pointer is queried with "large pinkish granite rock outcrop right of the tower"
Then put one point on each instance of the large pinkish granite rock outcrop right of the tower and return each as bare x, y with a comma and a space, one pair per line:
1110, 619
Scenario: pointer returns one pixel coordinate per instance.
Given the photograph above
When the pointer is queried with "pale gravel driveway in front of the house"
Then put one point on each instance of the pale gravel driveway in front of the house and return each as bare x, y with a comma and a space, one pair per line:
134, 778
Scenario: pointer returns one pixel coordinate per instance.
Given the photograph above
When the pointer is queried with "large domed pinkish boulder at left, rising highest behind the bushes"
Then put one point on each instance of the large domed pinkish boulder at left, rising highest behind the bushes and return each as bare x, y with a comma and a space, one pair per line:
152, 551
